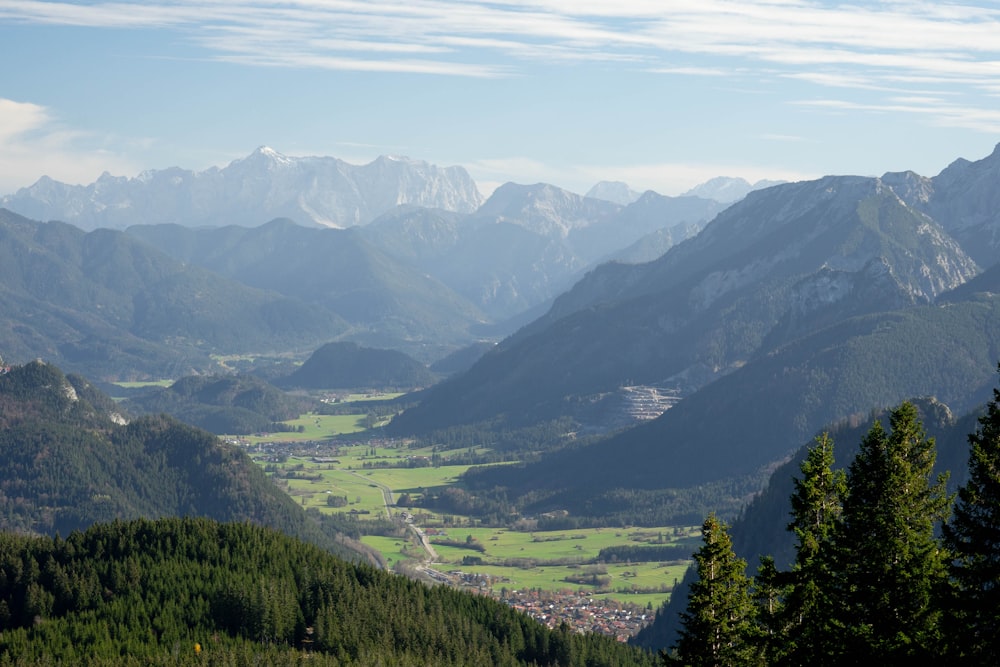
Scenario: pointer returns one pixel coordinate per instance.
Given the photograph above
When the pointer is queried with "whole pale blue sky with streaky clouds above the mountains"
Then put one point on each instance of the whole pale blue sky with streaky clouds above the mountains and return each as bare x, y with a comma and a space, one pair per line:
659, 94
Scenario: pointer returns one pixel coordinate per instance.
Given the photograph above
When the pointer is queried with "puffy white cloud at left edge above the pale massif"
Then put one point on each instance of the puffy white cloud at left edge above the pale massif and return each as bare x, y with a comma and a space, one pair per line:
32, 142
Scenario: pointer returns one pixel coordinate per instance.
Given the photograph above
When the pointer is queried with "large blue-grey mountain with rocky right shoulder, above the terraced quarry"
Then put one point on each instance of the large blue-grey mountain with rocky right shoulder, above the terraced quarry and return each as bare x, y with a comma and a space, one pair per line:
784, 262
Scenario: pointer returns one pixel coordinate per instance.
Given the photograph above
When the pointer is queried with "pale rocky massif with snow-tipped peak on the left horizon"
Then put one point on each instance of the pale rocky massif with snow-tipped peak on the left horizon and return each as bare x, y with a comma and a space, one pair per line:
265, 185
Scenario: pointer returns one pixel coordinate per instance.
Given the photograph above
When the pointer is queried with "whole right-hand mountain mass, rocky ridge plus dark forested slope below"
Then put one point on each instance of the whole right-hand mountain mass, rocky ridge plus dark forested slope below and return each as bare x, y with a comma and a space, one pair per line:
801, 305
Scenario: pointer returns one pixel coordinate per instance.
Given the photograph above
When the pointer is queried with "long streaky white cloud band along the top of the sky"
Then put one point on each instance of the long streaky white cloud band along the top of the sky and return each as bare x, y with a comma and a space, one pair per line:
960, 38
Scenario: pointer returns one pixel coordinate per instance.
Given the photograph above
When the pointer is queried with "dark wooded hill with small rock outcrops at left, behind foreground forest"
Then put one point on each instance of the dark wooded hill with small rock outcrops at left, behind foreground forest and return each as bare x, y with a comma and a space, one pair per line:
69, 460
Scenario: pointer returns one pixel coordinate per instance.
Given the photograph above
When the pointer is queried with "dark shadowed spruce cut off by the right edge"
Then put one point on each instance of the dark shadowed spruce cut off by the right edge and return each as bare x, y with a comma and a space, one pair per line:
973, 536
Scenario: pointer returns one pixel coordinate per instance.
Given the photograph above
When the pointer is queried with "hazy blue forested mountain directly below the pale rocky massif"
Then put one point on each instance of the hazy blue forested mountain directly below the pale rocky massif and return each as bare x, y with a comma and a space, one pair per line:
386, 301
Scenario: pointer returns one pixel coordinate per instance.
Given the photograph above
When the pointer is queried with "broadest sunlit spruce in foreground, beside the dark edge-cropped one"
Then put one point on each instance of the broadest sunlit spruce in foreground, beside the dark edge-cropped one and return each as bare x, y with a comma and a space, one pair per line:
890, 566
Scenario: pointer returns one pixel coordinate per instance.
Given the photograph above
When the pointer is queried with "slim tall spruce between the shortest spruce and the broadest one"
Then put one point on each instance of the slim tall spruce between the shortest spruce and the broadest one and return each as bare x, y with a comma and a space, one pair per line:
808, 633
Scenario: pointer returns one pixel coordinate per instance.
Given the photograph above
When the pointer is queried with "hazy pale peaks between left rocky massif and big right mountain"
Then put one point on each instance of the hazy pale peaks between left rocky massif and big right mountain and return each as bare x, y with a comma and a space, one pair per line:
528, 243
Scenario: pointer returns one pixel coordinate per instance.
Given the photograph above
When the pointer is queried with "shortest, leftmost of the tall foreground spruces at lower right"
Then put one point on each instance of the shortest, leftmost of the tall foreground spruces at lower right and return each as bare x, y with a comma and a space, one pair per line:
717, 627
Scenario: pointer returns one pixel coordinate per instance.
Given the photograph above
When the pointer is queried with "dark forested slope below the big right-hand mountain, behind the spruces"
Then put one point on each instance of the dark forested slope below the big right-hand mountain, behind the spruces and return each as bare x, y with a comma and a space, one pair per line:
762, 412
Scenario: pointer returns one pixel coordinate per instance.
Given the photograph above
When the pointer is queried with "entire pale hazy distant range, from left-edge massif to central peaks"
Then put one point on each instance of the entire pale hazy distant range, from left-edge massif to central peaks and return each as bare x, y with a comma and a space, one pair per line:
406, 254
